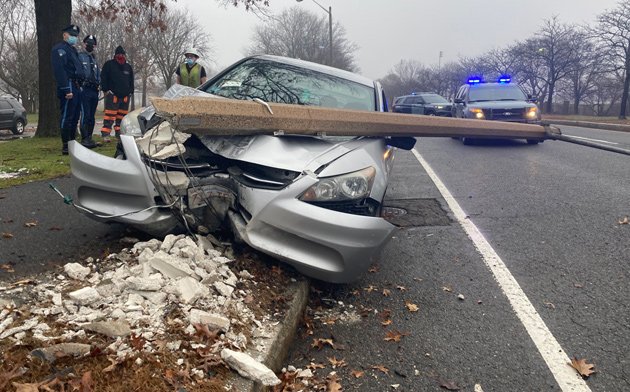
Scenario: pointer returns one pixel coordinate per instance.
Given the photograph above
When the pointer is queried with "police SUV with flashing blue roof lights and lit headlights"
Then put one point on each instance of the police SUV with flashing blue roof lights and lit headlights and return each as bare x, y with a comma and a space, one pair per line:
497, 101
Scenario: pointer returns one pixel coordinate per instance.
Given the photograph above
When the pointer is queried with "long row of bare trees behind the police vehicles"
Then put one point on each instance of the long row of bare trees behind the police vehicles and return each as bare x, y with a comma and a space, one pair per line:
585, 65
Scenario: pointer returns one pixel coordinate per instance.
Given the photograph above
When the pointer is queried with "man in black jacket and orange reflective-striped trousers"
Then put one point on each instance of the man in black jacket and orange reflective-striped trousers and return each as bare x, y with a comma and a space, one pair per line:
117, 85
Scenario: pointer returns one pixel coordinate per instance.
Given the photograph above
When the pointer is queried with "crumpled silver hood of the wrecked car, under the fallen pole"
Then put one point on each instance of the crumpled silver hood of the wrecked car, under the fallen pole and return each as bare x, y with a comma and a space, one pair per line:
295, 153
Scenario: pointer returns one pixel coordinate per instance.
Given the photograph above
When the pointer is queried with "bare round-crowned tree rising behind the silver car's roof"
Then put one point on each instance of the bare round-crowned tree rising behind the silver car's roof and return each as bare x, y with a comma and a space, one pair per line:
301, 34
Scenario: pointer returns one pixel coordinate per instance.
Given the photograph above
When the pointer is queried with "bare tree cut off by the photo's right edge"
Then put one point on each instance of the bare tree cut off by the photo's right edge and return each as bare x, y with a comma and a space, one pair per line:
613, 30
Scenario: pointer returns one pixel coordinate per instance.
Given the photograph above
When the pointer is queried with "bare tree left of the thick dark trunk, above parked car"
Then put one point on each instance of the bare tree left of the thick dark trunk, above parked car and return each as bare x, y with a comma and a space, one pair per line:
18, 68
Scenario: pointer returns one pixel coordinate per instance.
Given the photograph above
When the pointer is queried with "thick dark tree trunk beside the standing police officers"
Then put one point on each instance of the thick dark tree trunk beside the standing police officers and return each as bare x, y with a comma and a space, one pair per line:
51, 16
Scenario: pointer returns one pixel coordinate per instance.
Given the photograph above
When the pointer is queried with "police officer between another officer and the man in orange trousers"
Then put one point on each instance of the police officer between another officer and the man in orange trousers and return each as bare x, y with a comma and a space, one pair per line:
89, 93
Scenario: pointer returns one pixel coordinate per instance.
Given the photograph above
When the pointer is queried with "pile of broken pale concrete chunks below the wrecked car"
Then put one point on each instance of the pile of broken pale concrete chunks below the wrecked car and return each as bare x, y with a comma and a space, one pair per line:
135, 296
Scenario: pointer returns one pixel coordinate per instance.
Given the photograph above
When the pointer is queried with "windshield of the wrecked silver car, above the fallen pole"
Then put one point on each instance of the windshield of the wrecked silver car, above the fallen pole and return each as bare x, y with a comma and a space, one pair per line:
283, 83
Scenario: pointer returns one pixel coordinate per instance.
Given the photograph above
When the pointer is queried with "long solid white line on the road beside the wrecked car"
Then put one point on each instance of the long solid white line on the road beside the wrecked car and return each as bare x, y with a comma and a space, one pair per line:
548, 347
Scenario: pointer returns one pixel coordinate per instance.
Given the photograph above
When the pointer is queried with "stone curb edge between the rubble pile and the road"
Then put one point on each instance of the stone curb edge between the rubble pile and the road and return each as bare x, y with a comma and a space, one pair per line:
276, 346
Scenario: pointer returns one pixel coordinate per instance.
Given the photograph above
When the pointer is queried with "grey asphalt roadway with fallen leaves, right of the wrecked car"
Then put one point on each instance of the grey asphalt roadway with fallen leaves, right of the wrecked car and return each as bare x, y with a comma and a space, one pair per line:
551, 213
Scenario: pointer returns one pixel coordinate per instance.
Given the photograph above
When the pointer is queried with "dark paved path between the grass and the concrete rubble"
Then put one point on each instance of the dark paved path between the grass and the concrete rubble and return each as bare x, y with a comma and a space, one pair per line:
46, 233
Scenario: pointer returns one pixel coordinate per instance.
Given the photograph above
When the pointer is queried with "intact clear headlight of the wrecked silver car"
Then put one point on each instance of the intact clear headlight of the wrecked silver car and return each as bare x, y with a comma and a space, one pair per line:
351, 186
